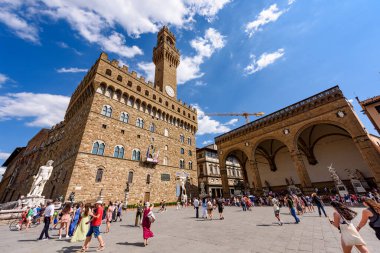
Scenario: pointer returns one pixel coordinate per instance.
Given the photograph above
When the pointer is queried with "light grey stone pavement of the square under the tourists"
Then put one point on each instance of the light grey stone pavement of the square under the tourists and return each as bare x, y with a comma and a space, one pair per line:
179, 231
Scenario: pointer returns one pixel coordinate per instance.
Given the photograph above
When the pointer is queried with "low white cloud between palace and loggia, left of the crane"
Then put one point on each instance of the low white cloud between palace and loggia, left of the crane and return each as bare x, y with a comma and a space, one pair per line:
206, 125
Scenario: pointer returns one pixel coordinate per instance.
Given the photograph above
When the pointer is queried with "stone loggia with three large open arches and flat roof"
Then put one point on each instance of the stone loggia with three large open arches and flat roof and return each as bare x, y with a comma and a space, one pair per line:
295, 145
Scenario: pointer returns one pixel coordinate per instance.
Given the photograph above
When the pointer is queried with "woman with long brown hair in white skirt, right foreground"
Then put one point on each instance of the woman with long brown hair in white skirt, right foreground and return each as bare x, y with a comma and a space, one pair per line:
350, 237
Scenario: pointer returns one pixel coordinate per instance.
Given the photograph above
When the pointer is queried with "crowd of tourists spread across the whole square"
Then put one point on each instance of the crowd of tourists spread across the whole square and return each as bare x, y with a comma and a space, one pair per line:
80, 222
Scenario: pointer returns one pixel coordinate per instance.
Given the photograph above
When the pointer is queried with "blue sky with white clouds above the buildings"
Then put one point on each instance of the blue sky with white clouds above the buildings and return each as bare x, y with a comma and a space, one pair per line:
236, 56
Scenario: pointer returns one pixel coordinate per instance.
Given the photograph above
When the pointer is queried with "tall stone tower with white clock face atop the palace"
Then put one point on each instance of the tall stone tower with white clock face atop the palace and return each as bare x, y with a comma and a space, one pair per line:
166, 59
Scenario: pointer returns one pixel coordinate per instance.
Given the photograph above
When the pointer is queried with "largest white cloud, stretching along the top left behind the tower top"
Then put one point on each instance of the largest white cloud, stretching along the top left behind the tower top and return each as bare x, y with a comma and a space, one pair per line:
96, 21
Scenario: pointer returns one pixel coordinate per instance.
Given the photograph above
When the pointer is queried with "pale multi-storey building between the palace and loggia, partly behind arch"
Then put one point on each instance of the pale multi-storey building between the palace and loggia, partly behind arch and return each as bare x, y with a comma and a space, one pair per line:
209, 172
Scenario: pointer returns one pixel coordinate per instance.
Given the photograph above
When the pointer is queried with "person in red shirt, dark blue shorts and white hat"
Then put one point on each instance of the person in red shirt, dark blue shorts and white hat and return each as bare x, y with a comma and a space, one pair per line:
95, 223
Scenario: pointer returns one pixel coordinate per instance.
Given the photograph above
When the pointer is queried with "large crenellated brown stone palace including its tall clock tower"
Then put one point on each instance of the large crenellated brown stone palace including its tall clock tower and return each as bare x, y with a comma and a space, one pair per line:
120, 134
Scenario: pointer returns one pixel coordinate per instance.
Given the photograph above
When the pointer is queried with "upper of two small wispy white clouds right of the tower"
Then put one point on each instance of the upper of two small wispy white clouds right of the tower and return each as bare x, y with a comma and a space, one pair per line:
265, 16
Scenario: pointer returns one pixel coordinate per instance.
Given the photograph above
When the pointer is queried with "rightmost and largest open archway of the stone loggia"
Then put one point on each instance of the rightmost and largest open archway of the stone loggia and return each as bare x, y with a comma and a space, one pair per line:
325, 143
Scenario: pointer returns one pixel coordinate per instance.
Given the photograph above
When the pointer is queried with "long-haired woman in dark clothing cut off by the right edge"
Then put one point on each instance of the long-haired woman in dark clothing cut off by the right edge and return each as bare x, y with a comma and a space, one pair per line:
372, 213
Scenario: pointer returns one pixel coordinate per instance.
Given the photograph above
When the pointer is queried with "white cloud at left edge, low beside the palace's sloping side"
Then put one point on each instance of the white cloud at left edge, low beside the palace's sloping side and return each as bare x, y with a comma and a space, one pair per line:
44, 110
